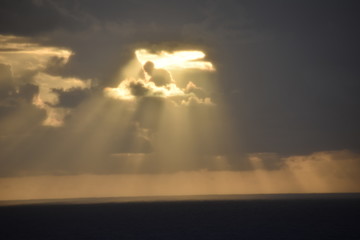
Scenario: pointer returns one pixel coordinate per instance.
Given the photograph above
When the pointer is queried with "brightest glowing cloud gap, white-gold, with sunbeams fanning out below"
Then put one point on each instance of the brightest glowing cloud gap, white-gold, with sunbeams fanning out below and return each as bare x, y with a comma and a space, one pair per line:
158, 81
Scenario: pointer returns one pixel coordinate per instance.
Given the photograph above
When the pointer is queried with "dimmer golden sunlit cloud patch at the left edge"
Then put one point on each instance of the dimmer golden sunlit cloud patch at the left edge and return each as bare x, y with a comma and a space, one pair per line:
27, 63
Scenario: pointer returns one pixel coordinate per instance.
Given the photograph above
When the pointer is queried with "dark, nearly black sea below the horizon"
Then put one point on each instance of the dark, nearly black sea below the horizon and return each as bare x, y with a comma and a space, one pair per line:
232, 217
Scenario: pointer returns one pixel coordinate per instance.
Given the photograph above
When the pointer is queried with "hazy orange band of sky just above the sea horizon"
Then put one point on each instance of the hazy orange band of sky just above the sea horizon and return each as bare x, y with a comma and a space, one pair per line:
323, 172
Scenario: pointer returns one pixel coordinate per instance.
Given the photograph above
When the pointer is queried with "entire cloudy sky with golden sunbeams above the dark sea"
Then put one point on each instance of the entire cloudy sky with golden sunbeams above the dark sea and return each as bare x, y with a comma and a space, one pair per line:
261, 97
